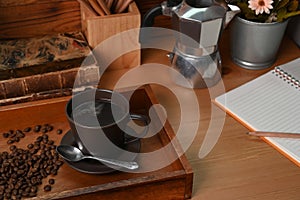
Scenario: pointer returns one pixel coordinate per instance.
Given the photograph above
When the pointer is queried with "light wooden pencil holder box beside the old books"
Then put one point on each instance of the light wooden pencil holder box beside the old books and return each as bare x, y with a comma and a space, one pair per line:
97, 29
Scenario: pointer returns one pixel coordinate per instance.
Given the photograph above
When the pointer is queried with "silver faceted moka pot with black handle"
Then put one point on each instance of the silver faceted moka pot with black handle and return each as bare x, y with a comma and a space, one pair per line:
202, 21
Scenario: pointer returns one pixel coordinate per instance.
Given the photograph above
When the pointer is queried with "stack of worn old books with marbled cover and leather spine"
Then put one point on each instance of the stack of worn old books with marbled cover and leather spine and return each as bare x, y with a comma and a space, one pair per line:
45, 67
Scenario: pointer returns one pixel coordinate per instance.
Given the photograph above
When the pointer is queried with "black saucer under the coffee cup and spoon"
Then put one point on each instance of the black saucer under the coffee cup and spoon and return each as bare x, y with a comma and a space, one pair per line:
94, 167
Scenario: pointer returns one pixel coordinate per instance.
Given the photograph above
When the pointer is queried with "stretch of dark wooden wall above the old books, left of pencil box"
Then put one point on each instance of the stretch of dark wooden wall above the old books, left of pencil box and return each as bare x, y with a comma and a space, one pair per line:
38, 19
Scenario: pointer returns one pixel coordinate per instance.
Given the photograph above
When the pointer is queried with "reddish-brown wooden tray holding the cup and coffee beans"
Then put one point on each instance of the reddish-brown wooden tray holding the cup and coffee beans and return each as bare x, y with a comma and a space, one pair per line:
171, 182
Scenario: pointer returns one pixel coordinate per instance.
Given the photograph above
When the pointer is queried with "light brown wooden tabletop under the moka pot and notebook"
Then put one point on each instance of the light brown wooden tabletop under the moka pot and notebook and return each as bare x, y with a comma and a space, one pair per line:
237, 167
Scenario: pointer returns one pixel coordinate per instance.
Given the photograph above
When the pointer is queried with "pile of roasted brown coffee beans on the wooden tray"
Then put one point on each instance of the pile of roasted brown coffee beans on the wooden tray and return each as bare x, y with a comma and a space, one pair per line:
22, 170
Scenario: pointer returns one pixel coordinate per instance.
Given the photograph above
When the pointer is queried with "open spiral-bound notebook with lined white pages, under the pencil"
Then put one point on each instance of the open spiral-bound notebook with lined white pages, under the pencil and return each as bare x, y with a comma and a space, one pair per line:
270, 102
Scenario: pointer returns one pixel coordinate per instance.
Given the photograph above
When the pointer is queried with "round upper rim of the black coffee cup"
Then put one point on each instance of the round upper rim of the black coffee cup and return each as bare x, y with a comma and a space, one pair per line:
91, 90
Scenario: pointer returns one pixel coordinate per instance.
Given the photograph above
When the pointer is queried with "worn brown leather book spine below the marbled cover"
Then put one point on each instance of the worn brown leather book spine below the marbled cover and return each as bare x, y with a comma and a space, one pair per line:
48, 85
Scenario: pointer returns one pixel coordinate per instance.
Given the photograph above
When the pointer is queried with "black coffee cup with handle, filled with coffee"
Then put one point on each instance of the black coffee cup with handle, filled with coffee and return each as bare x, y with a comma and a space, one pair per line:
98, 119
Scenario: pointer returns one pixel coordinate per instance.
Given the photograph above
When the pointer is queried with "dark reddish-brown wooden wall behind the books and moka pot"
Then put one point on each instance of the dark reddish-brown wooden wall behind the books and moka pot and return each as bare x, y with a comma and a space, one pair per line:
30, 18
